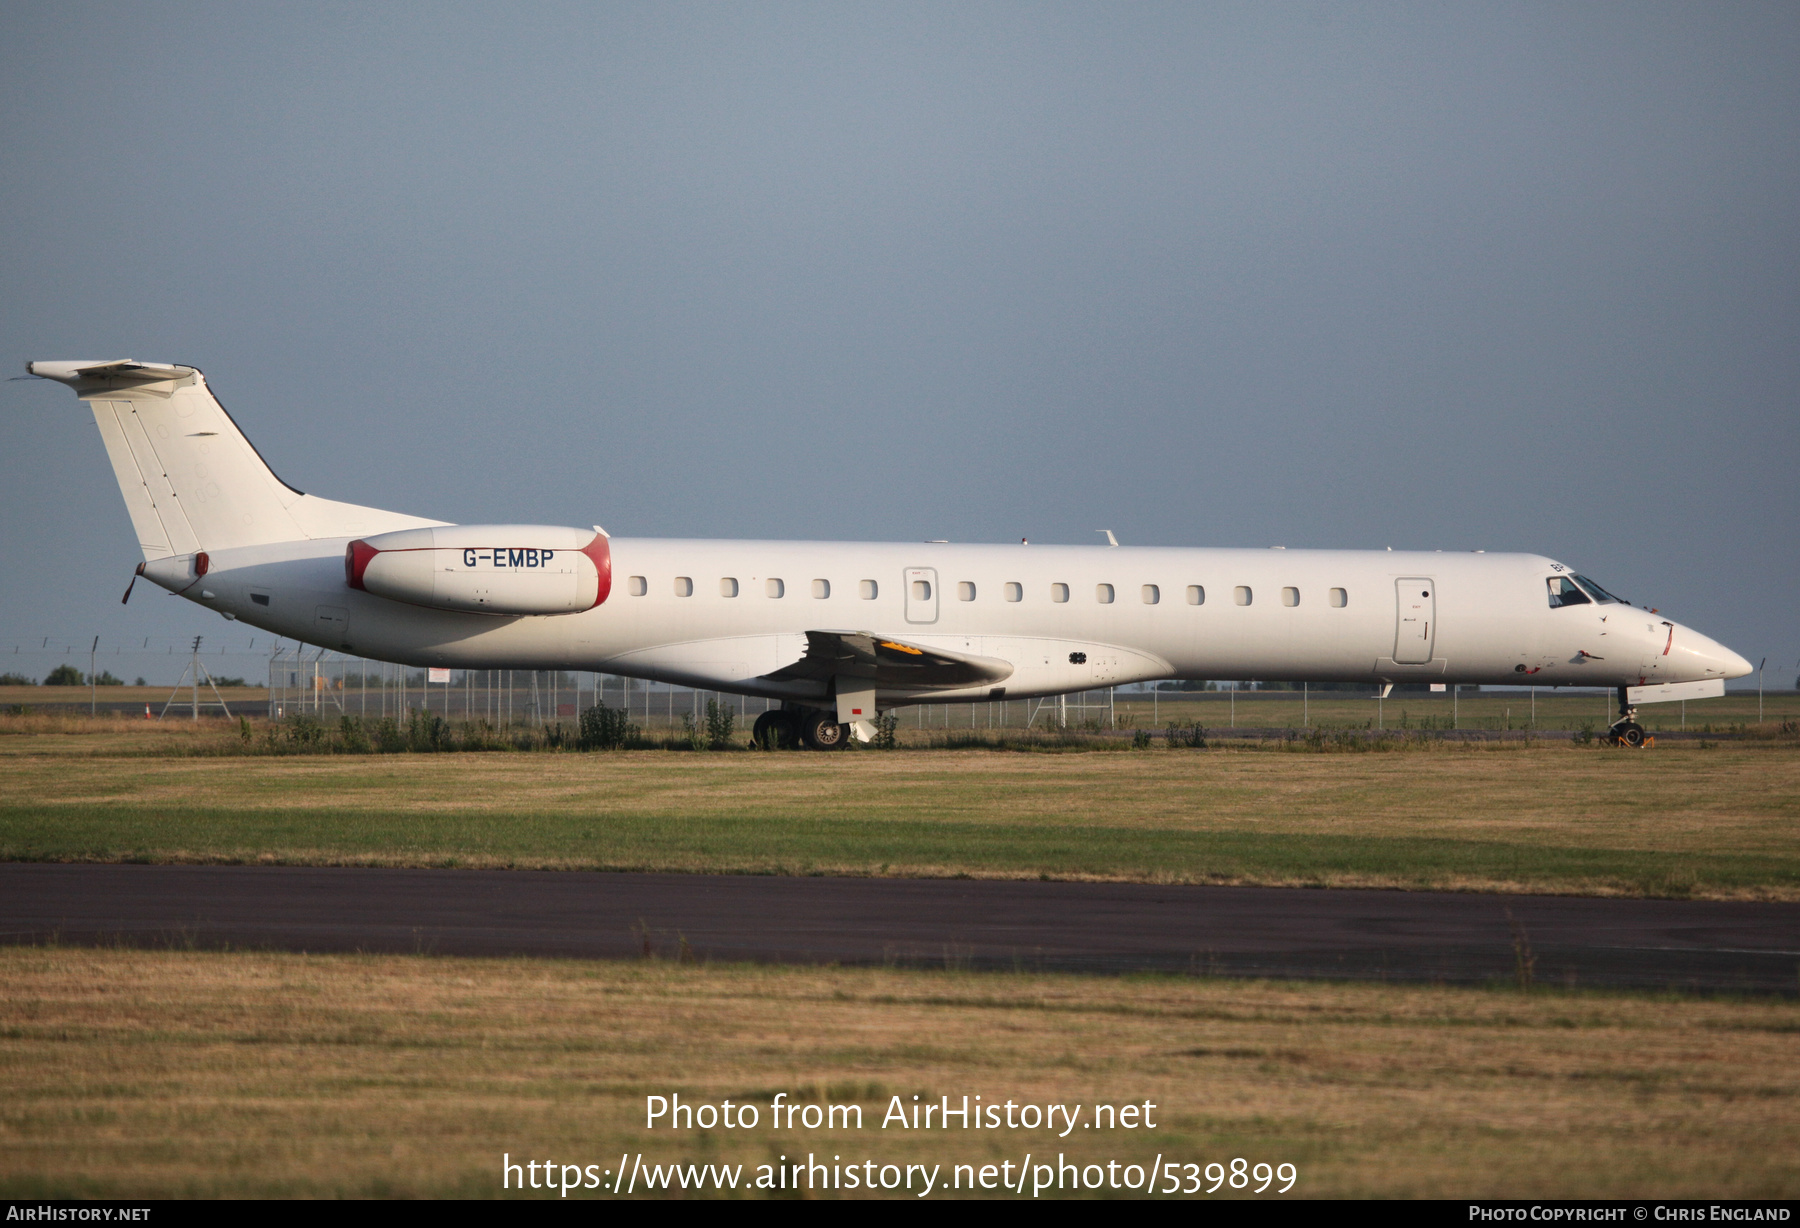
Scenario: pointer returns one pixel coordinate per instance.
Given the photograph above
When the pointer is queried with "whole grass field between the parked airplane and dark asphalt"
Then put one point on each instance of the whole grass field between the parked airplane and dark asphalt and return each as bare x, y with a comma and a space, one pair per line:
1707, 820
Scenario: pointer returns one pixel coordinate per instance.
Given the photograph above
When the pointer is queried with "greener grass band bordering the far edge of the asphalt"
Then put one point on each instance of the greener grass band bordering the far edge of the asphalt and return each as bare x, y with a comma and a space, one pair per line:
715, 844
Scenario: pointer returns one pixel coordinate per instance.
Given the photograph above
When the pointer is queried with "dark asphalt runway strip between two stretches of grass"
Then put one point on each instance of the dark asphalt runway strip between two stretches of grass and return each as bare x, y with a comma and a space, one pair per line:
915, 923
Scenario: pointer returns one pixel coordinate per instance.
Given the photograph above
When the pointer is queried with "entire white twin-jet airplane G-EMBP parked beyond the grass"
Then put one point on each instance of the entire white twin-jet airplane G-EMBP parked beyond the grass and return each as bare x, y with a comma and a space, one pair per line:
843, 631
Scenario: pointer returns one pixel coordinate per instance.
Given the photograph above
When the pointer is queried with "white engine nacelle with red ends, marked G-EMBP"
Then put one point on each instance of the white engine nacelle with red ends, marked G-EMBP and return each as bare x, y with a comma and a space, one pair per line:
485, 568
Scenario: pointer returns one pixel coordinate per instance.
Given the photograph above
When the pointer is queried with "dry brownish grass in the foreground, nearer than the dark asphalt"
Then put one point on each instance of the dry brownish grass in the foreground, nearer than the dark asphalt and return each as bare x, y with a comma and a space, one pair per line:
192, 1074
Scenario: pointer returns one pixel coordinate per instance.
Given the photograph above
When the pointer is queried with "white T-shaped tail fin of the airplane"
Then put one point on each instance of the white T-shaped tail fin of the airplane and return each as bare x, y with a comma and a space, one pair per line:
190, 476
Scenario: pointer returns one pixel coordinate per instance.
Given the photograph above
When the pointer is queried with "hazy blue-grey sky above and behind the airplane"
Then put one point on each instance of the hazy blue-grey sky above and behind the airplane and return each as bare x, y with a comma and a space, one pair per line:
1351, 276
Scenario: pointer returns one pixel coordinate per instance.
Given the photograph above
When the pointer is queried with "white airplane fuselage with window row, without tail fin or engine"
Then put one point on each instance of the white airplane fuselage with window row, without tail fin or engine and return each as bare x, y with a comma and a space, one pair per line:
724, 615
